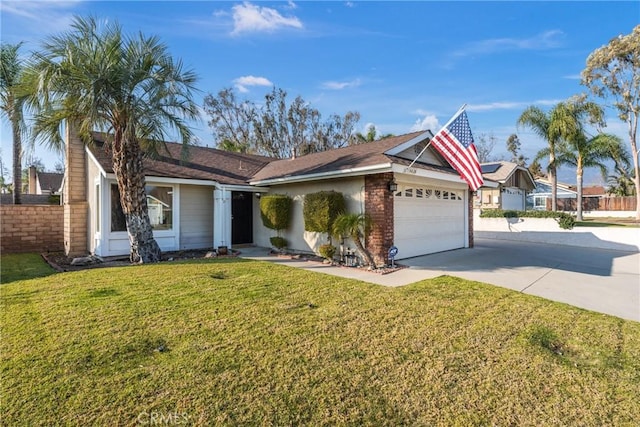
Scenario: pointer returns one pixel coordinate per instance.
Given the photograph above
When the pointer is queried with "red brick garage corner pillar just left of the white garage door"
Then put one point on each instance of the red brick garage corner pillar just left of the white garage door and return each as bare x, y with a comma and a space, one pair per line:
378, 203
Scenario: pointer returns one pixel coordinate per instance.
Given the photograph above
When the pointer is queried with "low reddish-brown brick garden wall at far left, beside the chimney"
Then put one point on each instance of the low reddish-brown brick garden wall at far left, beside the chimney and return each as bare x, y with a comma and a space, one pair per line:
31, 228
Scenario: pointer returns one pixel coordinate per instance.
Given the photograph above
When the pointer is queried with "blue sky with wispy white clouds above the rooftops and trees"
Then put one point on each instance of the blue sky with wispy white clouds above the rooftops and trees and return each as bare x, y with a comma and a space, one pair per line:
403, 66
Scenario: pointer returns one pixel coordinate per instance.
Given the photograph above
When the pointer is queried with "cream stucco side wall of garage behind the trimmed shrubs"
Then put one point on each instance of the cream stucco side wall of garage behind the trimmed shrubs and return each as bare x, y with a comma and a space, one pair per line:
298, 238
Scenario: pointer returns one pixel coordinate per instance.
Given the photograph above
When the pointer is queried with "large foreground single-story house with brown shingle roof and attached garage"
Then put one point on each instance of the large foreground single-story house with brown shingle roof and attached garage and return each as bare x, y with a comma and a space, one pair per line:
211, 199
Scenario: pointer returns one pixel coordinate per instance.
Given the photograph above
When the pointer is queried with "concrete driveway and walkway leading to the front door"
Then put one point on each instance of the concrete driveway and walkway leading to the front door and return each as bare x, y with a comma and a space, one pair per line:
601, 280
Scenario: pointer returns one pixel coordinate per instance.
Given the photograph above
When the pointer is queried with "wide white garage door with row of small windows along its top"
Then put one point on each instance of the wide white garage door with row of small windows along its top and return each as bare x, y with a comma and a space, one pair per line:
428, 220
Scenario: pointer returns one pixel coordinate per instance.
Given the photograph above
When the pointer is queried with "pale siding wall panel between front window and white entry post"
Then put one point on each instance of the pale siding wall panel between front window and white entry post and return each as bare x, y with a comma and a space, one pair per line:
196, 217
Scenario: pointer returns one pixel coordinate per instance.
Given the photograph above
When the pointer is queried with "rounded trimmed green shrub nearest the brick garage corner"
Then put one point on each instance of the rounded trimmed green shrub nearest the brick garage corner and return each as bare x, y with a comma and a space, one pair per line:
321, 209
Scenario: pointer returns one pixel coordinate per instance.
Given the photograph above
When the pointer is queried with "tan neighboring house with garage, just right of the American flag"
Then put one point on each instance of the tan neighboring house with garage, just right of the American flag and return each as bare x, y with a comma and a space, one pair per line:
514, 182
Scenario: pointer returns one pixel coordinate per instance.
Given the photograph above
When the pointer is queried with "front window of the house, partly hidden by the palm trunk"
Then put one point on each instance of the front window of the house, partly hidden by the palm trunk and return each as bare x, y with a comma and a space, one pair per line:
159, 203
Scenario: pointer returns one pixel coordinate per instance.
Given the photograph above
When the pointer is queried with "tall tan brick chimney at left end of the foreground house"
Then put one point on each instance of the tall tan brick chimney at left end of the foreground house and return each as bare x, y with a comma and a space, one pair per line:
75, 196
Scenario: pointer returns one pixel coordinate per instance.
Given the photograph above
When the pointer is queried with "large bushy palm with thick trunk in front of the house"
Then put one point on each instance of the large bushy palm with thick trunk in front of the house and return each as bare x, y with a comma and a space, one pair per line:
97, 78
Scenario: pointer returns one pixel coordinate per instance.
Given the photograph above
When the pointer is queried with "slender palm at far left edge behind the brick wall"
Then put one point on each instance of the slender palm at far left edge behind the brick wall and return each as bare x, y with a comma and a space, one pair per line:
11, 72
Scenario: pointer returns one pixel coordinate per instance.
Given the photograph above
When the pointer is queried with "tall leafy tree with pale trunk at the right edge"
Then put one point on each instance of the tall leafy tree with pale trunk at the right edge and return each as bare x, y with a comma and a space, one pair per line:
613, 71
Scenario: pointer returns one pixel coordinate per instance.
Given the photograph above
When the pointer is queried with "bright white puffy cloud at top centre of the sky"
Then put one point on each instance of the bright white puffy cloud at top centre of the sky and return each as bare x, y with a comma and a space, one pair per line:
249, 18
